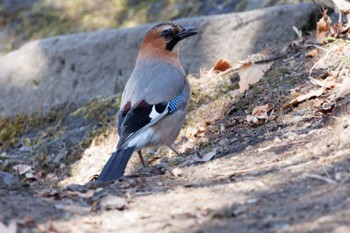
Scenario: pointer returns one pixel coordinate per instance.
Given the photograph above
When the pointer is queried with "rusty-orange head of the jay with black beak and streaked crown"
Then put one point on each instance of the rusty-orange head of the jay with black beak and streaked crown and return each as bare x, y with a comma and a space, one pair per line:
164, 39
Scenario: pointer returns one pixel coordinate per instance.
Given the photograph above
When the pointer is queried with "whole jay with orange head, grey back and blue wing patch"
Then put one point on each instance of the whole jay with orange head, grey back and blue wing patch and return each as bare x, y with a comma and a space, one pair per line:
155, 99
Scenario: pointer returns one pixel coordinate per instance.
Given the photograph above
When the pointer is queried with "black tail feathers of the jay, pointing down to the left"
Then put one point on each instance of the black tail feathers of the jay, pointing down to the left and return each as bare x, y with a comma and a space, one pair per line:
115, 167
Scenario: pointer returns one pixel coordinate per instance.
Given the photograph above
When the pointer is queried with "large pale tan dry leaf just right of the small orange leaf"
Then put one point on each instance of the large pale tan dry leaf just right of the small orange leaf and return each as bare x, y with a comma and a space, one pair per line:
251, 73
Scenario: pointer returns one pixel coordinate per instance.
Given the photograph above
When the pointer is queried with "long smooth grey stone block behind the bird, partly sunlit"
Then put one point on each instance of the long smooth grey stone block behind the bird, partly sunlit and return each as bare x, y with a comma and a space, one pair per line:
65, 68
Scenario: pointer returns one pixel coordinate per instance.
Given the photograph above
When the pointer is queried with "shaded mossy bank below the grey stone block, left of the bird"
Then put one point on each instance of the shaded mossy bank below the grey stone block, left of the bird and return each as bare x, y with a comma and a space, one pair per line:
58, 135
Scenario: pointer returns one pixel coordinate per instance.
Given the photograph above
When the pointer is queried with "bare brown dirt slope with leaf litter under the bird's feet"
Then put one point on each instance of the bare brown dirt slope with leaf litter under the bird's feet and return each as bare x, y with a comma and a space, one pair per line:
287, 171
